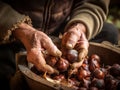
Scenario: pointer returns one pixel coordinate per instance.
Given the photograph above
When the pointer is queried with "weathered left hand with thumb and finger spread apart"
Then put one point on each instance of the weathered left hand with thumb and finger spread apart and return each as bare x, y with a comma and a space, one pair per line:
35, 42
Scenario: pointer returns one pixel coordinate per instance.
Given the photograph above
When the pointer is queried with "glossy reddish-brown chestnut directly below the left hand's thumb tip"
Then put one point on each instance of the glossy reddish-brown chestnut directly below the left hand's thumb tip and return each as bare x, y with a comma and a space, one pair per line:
62, 65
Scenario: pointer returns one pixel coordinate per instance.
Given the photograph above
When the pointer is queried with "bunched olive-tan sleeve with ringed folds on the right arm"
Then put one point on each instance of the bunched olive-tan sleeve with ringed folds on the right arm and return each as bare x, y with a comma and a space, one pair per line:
92, 13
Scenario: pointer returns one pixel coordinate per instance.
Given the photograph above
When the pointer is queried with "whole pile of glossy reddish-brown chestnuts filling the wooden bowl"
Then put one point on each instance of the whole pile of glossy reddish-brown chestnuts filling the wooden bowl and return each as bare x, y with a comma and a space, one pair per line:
91, 75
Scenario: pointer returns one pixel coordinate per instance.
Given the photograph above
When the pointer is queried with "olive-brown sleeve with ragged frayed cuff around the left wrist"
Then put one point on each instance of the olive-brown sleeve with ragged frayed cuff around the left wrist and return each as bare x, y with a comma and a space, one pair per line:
9, 20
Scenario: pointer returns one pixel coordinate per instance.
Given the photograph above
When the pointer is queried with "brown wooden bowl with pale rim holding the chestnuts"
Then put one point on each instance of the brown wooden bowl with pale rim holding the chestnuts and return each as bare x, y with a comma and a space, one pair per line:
108, 54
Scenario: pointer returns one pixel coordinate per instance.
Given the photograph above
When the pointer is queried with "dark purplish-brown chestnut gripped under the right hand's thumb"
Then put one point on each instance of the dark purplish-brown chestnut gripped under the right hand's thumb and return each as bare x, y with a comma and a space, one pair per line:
72, 55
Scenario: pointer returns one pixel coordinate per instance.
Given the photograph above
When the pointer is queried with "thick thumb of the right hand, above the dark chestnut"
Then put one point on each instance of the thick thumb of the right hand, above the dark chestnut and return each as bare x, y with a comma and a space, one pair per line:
70, 38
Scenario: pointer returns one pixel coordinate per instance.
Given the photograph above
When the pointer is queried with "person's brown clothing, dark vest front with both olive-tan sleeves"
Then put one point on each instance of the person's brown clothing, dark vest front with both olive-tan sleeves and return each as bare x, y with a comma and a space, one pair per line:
48, 15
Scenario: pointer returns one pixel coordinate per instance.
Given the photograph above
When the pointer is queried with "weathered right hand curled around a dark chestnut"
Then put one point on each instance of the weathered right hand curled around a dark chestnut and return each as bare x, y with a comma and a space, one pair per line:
75, 38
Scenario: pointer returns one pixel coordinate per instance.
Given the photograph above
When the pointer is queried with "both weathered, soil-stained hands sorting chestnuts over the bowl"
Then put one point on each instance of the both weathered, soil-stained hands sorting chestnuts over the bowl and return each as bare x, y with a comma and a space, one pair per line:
36, 41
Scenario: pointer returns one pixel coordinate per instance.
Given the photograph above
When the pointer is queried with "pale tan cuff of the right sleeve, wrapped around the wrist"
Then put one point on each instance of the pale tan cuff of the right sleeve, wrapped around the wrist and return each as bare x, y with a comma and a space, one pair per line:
88, 21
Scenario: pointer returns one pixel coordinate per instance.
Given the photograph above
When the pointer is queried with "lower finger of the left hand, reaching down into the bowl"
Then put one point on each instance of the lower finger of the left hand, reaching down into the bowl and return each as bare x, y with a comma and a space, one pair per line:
36, 57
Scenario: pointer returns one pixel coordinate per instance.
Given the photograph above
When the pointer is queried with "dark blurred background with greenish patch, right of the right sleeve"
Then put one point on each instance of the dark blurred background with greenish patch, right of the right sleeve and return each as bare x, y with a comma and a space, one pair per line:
114, 14
